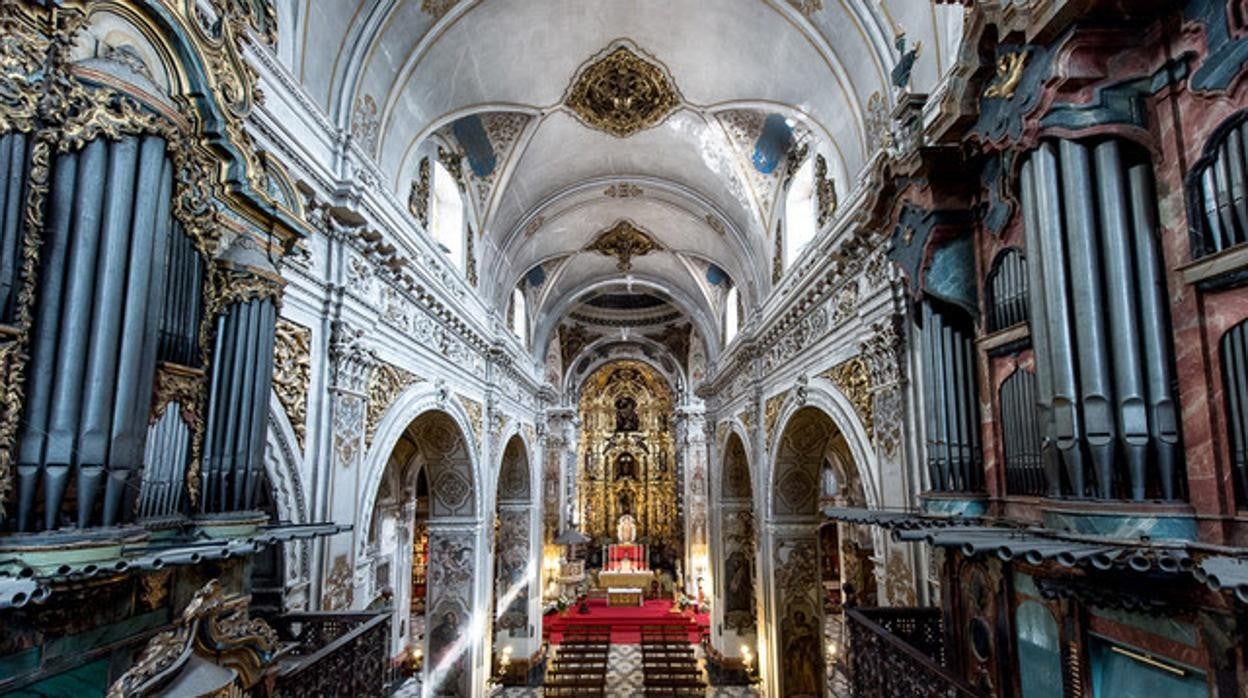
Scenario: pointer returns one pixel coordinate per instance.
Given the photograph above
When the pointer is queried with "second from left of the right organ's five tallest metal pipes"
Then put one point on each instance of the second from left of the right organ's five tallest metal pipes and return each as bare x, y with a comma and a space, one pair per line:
1068, 431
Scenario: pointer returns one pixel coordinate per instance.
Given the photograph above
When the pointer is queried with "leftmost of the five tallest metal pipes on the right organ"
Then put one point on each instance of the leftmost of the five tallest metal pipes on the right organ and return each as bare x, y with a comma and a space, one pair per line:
1040, 330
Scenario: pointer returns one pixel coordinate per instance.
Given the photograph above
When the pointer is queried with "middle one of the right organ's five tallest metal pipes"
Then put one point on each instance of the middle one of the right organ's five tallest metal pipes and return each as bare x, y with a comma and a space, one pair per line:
1085, 273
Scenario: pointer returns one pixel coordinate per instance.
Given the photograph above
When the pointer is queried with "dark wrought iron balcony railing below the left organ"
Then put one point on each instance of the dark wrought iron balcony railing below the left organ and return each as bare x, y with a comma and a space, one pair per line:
334, 654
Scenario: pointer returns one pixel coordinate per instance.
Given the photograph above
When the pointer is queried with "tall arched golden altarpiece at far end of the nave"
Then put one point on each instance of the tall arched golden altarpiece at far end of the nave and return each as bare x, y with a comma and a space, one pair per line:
627, 455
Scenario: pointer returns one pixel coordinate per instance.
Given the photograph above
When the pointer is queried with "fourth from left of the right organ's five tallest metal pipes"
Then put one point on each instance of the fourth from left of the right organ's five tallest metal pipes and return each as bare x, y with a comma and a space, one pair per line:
1123, 319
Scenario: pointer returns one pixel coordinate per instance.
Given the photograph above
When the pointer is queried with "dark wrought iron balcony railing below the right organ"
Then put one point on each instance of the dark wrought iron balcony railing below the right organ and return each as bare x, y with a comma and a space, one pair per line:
900, 652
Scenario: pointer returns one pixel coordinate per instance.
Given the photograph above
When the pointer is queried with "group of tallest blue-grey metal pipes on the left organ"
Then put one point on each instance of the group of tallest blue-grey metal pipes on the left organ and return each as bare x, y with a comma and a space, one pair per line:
94, 337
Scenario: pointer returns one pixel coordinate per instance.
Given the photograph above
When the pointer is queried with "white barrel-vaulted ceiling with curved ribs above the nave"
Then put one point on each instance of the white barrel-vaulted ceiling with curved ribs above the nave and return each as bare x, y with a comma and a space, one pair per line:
746, 83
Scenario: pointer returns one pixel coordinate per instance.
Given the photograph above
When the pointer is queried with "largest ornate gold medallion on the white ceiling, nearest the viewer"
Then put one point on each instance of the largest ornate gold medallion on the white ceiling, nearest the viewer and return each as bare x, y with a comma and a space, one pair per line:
622, 93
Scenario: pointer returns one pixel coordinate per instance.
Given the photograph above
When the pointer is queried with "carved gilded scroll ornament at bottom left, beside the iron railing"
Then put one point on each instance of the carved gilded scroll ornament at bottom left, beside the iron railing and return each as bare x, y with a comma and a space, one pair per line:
215, 629
